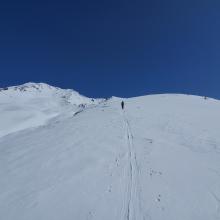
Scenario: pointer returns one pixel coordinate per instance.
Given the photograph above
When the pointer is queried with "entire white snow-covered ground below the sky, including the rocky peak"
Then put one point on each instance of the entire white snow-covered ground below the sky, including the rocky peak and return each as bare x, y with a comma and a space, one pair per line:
159, 159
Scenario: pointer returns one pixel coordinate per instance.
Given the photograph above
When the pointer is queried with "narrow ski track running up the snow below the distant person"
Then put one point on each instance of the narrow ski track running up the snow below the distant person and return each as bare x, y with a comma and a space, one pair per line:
134, 208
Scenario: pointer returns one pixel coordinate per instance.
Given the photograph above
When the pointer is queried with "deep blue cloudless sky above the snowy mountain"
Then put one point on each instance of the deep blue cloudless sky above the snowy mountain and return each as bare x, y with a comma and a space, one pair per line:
117, 47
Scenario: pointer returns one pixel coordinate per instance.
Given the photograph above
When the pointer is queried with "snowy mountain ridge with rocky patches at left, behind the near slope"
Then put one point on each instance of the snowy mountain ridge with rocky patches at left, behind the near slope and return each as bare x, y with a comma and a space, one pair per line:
33, 104
